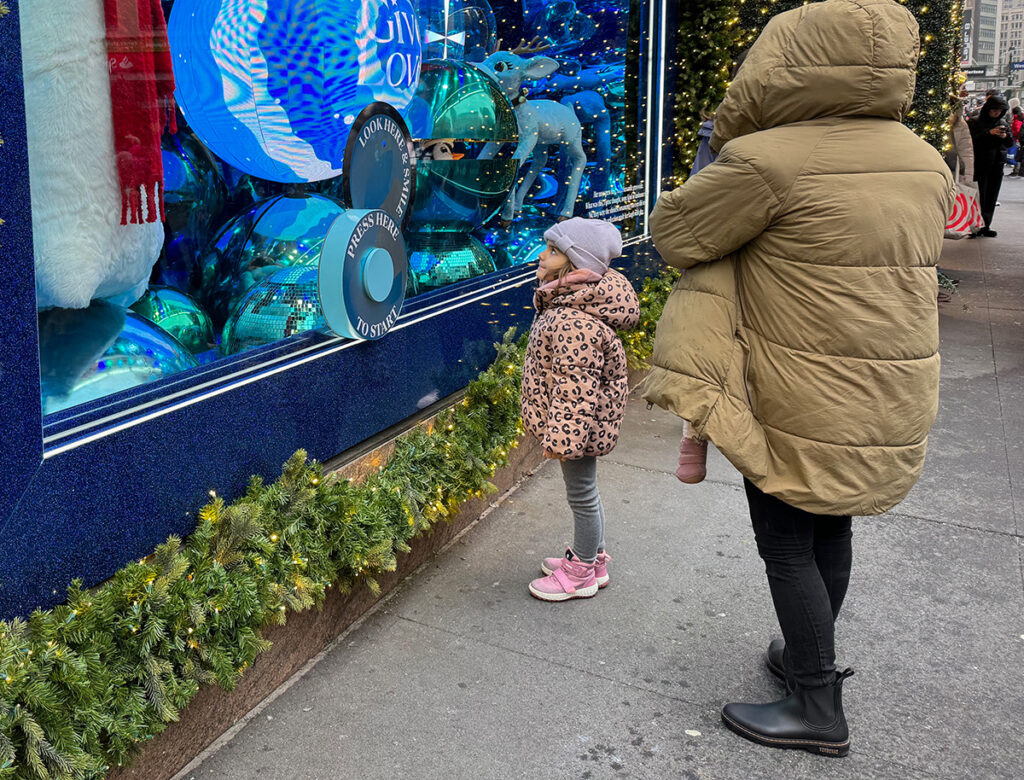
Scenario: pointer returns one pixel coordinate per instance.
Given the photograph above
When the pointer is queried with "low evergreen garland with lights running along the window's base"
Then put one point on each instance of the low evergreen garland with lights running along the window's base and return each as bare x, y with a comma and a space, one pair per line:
83, 685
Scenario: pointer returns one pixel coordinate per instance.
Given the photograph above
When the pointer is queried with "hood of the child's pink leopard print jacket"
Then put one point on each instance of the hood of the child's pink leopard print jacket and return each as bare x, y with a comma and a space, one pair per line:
610, 300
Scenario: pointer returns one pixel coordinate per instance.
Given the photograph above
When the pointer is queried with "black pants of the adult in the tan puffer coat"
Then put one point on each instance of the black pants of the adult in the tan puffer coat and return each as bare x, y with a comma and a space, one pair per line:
807, 558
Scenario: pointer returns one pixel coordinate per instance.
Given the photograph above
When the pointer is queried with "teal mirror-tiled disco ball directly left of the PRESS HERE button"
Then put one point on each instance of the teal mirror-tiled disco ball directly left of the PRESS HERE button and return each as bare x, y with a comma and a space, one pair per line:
282, 306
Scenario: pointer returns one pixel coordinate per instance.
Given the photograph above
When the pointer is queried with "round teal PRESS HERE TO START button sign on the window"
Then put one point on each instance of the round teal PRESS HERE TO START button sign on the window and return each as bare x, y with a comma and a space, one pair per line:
364, 271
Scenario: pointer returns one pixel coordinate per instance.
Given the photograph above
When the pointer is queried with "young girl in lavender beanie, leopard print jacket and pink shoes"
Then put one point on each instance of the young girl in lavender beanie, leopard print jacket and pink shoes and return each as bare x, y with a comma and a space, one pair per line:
575, 386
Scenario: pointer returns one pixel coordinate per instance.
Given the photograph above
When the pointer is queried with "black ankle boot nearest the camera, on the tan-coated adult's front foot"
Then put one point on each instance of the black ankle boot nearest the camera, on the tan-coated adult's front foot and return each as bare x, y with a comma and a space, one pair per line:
809, 719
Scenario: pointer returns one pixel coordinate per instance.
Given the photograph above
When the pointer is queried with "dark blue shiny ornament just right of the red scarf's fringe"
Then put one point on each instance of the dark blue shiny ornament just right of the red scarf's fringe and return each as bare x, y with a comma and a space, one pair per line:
194, 197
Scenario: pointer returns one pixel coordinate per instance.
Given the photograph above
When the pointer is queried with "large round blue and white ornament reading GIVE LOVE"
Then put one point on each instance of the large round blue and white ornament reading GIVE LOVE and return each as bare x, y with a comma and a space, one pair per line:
274, 86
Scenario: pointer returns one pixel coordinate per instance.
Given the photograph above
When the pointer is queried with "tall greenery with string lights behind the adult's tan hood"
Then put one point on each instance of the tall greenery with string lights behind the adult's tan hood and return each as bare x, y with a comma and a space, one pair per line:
711, 33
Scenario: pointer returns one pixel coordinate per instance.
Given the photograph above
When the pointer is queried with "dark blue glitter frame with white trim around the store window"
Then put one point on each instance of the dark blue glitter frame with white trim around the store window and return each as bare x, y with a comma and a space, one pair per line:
86, 491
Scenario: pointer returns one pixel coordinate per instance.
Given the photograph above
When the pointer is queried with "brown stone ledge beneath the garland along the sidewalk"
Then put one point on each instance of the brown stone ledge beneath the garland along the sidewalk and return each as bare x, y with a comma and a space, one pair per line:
215, 711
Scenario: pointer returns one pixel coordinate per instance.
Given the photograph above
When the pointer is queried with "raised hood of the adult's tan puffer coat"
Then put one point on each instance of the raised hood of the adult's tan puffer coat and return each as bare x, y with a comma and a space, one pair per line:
836, 59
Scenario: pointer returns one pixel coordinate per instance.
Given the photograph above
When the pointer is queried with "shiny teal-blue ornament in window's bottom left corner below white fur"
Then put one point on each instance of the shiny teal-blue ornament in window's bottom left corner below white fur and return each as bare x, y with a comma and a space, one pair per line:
86, 355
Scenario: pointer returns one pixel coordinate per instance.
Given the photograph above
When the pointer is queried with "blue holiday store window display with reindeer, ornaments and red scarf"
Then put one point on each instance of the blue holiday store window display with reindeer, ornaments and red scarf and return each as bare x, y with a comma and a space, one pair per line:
193, 163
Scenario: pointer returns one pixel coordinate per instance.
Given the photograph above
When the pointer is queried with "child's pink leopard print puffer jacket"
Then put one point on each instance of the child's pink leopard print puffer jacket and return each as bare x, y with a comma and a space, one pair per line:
575, 379
